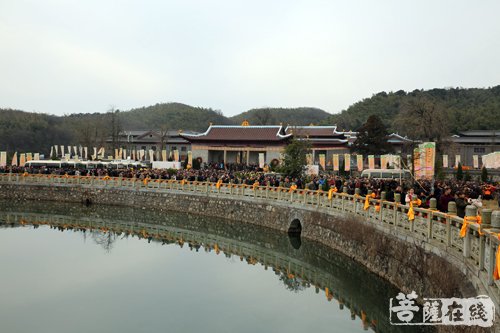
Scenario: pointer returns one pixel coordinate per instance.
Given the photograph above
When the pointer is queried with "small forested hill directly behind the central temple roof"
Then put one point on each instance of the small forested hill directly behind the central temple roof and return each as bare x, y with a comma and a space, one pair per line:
274, 116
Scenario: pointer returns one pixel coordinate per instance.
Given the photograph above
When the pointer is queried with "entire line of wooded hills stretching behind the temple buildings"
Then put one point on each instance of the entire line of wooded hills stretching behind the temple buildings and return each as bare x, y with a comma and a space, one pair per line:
420, 114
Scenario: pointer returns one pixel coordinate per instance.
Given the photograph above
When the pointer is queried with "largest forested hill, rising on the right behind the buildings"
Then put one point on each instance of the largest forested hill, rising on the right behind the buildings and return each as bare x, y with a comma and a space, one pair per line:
455, 109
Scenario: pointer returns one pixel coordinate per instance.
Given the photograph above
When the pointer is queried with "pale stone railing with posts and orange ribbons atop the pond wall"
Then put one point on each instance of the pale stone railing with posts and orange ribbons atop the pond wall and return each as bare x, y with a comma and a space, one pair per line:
427, 221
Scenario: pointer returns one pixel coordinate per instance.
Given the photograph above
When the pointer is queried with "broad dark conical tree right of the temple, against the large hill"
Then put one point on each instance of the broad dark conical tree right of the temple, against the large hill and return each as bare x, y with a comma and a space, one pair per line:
372, 138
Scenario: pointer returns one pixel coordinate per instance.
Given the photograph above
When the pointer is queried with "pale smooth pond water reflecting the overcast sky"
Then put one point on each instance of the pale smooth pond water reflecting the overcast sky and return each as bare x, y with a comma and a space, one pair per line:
56, 281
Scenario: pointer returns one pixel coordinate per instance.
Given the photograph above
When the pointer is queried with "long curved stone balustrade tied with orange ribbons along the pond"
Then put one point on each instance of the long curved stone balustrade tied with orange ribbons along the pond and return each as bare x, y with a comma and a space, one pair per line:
436, 232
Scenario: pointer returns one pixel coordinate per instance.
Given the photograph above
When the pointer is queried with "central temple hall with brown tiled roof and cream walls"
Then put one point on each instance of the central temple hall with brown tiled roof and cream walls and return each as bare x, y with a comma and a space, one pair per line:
239, 144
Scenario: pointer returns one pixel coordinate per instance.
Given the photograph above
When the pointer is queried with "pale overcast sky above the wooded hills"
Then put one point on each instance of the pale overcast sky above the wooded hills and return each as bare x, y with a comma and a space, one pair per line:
64, 56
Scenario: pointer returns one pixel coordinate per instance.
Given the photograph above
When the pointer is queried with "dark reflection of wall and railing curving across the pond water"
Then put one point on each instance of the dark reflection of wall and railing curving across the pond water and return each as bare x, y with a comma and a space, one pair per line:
294, 273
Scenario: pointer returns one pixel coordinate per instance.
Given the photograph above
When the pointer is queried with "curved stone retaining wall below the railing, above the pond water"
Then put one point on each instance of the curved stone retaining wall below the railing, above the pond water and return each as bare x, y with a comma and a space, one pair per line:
396, 257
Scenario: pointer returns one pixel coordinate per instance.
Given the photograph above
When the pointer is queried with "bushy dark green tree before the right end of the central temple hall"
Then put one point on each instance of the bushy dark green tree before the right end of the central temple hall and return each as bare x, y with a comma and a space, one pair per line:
294, 158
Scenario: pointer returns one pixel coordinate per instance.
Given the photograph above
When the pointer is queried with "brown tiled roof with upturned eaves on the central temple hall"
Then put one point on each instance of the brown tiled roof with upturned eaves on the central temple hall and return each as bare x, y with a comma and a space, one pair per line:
239, 133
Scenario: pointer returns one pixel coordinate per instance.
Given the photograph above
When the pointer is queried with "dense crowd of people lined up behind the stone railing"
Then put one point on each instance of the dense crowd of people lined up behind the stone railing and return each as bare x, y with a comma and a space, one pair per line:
444, 191
